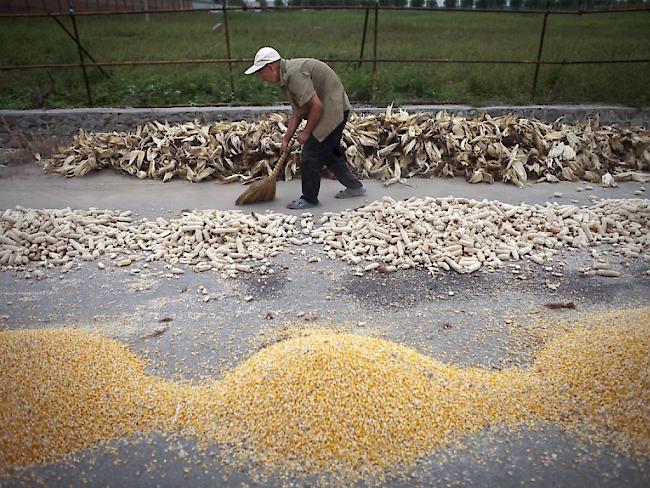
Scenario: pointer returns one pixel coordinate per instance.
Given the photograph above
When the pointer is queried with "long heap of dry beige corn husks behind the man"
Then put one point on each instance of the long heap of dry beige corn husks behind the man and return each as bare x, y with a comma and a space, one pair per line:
390, 147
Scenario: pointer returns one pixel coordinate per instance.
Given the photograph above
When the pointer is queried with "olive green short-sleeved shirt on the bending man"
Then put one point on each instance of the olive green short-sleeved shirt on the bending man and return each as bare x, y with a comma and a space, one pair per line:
301, 79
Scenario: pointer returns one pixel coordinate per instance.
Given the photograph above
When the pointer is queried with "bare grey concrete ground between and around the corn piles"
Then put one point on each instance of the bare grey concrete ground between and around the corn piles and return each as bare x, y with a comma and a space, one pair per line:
481, 319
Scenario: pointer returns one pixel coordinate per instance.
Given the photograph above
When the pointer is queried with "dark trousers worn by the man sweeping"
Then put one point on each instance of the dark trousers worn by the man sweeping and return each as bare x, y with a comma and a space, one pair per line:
328, 153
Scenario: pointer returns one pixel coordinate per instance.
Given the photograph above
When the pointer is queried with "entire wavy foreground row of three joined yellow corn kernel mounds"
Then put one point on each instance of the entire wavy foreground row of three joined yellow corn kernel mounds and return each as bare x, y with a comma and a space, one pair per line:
325, 402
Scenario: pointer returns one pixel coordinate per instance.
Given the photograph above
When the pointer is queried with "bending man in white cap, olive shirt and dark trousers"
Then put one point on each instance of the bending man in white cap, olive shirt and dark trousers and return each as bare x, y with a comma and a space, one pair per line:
316, 94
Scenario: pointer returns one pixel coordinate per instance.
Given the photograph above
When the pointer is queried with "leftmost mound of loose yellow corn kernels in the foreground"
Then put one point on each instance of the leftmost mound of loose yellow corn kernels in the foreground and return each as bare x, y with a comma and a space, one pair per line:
63, 390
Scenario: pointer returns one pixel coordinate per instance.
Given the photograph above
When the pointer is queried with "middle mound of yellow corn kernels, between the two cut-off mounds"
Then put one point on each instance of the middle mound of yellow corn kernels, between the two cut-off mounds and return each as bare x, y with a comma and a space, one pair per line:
365, 403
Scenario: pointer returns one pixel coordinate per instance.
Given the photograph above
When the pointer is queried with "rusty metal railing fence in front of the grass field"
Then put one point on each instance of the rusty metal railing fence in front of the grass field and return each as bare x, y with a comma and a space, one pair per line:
375, 9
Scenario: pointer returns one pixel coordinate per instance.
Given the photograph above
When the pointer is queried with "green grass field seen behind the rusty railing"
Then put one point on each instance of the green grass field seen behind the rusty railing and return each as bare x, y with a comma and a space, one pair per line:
330, 34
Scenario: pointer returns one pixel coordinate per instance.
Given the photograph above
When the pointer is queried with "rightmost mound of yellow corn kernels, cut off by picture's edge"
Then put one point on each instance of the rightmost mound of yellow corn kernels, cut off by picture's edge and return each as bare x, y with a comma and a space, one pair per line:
601, 375
